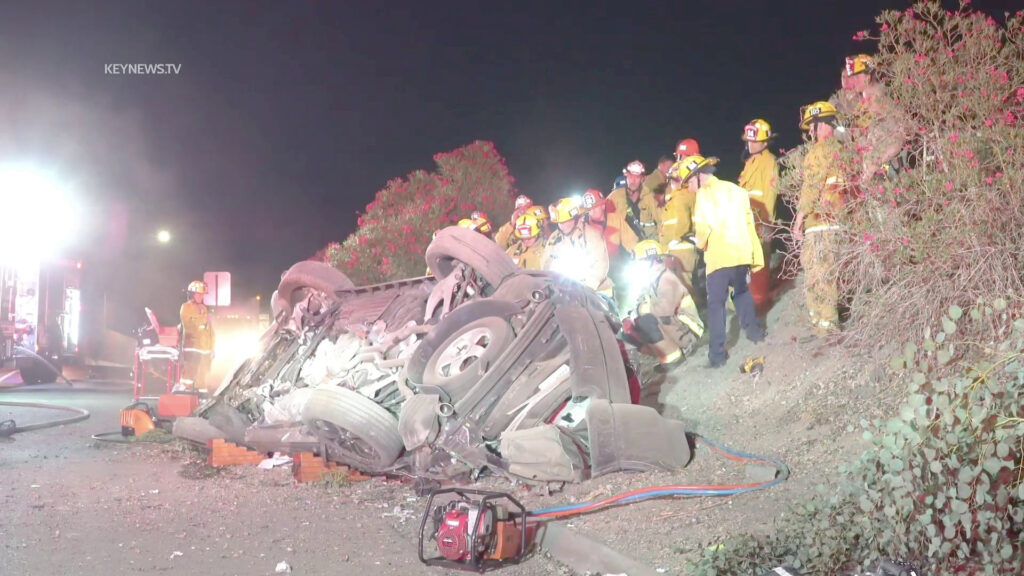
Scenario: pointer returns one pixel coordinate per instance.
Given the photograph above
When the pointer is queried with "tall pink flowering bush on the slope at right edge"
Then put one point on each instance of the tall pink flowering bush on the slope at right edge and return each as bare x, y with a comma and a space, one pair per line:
949, 230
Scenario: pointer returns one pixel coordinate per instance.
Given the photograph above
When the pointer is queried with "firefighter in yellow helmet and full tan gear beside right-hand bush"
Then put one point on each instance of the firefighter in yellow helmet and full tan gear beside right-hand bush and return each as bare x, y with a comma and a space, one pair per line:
816, 223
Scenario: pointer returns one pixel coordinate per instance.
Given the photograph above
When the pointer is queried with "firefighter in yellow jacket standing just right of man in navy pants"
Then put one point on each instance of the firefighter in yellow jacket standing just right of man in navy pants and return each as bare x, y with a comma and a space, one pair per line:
759, 178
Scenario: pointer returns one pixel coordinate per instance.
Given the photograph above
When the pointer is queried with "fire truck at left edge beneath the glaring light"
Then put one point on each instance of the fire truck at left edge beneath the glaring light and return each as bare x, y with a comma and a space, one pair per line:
40, 318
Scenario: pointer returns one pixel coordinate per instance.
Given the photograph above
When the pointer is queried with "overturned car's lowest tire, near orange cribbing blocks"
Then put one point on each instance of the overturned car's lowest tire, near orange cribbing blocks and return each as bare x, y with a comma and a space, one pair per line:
358, 431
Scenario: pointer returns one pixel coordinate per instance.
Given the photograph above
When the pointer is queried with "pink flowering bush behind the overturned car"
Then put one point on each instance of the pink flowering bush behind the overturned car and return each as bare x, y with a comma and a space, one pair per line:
397, 228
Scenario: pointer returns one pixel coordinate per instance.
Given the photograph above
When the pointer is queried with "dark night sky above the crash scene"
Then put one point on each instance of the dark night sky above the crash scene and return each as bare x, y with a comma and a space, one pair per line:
287, 117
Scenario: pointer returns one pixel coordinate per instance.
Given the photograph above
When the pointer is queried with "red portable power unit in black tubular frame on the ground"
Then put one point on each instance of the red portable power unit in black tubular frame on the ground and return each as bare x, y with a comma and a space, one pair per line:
476, 530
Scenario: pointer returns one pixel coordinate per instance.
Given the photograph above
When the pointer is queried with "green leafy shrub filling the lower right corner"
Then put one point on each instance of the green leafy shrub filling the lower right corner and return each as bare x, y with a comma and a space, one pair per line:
942, 484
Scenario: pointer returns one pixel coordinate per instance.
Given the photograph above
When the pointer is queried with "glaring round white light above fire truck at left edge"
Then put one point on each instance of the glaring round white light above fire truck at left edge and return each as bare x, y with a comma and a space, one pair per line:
41, 216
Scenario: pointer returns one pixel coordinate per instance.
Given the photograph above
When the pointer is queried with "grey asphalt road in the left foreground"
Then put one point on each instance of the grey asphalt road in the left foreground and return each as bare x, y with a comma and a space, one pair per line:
71, 506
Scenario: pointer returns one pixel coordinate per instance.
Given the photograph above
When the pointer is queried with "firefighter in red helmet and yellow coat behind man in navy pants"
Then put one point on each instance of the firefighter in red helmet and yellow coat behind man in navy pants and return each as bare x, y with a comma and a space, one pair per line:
677, 225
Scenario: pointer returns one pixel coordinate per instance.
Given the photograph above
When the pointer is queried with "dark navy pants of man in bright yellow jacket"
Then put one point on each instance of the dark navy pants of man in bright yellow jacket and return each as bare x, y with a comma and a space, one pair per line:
718, 291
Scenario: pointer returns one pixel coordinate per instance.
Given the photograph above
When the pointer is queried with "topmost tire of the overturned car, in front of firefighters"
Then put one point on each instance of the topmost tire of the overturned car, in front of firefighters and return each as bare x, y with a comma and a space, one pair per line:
454, 245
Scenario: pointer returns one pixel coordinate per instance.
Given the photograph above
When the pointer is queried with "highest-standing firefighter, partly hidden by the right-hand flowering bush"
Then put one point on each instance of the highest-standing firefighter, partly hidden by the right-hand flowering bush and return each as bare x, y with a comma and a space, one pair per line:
881, 131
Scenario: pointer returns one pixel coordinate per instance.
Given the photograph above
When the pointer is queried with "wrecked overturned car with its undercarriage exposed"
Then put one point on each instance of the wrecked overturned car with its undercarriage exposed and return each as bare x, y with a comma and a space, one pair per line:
482, 367
